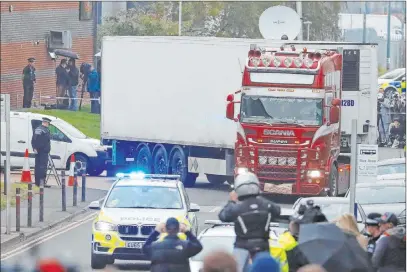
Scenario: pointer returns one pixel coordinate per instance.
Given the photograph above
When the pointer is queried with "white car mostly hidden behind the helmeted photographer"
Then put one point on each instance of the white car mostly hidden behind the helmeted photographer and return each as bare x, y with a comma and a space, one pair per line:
221, 236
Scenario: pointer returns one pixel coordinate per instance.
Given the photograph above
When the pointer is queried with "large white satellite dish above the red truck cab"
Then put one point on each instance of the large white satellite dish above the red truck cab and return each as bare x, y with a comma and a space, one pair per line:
278, 21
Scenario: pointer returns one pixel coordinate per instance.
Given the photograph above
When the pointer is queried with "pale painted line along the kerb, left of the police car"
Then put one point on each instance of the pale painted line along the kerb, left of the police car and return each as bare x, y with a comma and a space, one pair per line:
46, 237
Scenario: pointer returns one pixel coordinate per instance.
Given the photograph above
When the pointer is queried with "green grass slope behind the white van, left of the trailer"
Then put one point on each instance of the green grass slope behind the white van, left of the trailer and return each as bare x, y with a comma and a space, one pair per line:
83, 120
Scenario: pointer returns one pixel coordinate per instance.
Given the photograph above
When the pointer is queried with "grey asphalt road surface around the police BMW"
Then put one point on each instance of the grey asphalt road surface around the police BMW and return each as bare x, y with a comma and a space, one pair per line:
72, 241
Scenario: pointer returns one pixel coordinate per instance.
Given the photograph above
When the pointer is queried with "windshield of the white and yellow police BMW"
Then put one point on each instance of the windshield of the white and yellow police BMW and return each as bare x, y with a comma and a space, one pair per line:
144, 197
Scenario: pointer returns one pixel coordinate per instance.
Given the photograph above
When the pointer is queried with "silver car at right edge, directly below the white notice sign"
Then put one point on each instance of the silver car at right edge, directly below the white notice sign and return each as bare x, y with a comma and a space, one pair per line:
381, 196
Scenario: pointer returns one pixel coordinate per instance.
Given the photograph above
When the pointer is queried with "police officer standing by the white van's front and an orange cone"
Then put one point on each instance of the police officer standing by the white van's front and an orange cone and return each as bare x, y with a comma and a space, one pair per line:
41, 144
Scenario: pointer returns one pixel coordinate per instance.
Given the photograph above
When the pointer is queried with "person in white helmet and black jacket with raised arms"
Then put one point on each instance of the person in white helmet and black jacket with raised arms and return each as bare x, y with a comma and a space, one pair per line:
251, 214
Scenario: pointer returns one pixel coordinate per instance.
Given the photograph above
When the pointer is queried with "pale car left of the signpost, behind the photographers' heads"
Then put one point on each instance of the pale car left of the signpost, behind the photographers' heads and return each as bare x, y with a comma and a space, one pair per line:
333, 207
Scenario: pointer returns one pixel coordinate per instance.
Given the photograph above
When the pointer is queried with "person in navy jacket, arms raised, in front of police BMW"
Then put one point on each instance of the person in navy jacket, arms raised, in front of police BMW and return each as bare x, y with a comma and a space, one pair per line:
171, 254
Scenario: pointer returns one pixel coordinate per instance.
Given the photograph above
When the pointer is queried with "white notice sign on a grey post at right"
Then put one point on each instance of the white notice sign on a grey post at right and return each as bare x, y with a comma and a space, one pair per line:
367, 158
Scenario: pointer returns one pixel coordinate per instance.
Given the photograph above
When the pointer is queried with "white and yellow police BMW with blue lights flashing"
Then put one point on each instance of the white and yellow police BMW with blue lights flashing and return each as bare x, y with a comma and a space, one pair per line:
133, 207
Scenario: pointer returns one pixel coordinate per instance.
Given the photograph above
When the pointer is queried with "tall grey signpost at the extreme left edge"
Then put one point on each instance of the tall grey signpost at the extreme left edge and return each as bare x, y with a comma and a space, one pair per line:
5, 117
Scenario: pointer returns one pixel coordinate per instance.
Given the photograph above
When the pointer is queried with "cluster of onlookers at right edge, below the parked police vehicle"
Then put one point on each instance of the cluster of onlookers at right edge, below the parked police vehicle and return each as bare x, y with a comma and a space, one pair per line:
391, 119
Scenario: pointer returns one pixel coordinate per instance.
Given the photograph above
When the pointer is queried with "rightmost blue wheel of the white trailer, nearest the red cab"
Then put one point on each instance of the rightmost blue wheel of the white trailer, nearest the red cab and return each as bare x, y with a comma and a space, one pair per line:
178, 166
